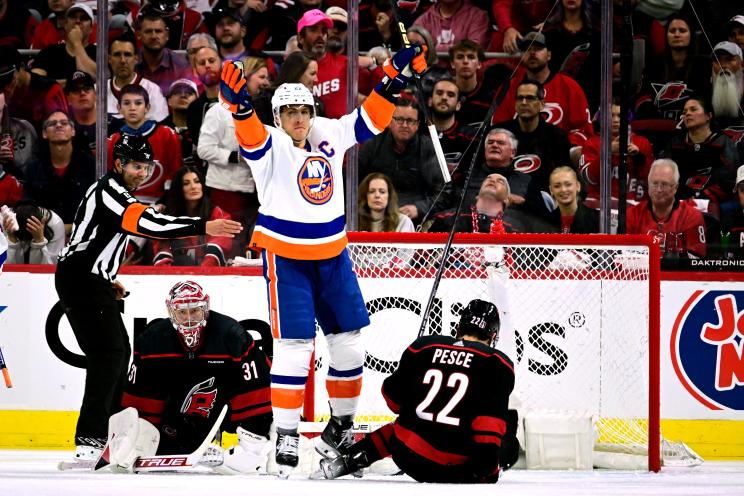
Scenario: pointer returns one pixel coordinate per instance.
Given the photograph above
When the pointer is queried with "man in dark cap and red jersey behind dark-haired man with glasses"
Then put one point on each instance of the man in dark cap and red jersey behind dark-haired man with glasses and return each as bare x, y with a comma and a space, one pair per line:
565, 102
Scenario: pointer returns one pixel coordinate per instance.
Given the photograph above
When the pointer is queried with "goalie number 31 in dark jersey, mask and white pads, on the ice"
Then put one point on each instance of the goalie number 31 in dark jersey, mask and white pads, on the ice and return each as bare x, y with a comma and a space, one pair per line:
184, 370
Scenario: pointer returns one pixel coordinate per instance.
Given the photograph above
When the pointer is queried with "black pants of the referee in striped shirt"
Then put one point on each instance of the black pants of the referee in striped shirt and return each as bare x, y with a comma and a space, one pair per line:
93, 313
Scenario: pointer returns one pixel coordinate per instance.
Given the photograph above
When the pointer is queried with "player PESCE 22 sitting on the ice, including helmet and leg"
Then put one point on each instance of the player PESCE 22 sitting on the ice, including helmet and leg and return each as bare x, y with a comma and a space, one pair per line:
451, 396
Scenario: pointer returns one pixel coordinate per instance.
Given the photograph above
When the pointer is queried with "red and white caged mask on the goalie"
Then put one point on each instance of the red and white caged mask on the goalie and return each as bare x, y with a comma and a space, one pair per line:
188, 309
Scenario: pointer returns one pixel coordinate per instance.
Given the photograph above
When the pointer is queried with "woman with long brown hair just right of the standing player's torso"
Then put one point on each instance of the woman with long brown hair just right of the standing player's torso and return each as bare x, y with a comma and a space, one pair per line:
378, 206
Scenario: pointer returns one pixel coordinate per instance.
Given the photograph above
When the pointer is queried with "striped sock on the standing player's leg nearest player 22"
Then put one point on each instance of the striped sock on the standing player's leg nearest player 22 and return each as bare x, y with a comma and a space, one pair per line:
344, 381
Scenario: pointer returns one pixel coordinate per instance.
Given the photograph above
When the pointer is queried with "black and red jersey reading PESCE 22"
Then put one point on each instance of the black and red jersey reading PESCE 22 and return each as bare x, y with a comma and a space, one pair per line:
451, 397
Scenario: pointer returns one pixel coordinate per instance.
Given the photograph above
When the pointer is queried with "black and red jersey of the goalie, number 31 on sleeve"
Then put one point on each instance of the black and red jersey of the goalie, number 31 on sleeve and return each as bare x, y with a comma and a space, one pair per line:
182, 392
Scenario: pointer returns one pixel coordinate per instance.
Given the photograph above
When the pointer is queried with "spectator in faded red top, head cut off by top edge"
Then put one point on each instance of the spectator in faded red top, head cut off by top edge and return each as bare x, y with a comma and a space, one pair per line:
450, 21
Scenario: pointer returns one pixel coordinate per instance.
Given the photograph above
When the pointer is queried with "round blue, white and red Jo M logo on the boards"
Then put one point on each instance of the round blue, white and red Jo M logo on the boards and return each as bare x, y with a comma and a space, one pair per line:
707, 348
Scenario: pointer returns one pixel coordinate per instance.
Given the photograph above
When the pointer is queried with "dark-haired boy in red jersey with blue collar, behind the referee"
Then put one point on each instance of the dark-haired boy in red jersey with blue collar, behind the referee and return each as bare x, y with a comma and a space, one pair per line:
133, 105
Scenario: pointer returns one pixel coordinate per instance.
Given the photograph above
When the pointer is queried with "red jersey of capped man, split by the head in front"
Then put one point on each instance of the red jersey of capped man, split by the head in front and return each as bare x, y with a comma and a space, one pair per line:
565, 106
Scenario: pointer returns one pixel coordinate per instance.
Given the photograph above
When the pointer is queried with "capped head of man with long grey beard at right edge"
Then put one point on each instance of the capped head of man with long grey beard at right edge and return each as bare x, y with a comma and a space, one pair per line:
728, 85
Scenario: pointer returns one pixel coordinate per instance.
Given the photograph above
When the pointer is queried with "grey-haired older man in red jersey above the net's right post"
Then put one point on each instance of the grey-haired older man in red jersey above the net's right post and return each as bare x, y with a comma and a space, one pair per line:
677, 225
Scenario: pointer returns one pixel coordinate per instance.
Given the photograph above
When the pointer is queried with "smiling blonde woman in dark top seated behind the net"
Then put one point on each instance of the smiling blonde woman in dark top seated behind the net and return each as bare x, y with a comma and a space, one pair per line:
570, 216
